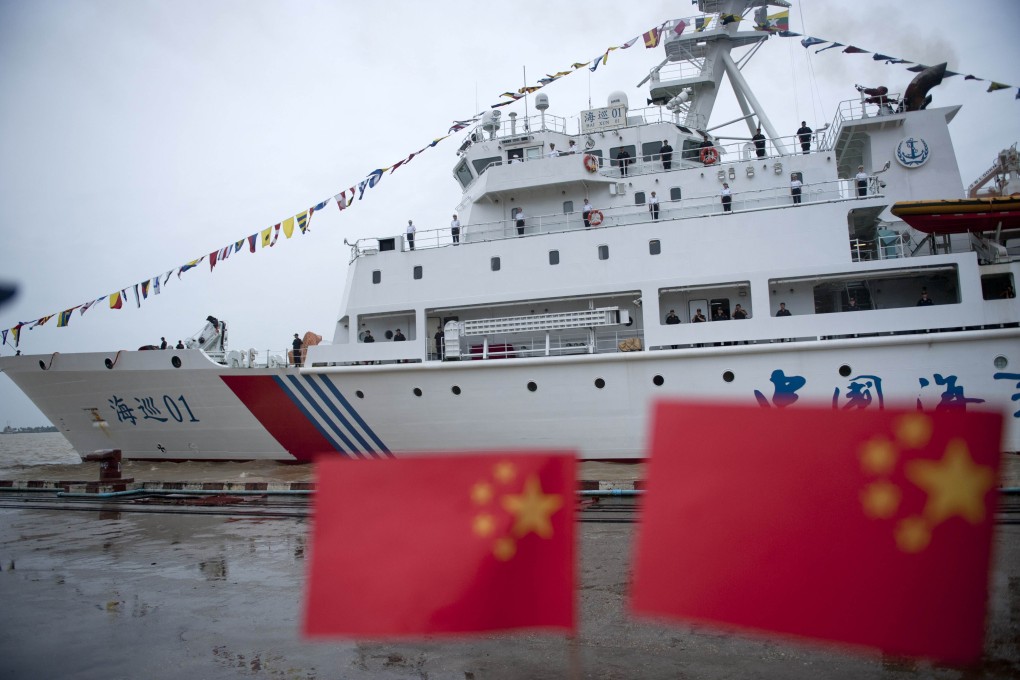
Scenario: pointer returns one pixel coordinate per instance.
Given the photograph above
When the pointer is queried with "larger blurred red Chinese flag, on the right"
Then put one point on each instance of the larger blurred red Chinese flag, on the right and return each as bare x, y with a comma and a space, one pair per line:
869, 528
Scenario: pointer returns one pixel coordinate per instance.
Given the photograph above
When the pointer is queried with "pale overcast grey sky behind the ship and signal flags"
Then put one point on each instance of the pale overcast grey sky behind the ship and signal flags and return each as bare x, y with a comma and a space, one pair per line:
138, 135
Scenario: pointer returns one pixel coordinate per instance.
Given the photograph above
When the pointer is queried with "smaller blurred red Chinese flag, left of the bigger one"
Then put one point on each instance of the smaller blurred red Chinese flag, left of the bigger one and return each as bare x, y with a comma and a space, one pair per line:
443, 545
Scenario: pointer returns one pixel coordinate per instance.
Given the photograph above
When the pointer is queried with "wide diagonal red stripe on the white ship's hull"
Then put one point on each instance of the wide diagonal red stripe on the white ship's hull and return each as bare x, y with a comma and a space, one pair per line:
284, 420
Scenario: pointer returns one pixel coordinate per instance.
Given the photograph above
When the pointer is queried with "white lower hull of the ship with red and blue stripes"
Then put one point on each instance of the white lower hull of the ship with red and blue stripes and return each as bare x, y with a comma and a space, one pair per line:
597, 405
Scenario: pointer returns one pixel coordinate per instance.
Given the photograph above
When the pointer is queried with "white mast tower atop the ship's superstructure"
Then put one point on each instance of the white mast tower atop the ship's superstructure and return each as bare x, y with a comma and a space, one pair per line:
697, 61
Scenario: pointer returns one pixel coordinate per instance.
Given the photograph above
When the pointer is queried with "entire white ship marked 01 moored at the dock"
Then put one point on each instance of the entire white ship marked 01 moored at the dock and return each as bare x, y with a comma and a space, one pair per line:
542, 325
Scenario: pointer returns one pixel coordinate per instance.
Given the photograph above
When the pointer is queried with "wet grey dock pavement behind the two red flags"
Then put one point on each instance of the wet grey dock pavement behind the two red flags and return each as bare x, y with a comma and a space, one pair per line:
110, 593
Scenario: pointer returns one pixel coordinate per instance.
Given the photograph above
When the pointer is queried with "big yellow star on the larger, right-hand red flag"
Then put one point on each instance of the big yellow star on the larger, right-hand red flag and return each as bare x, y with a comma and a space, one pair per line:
955, 485
